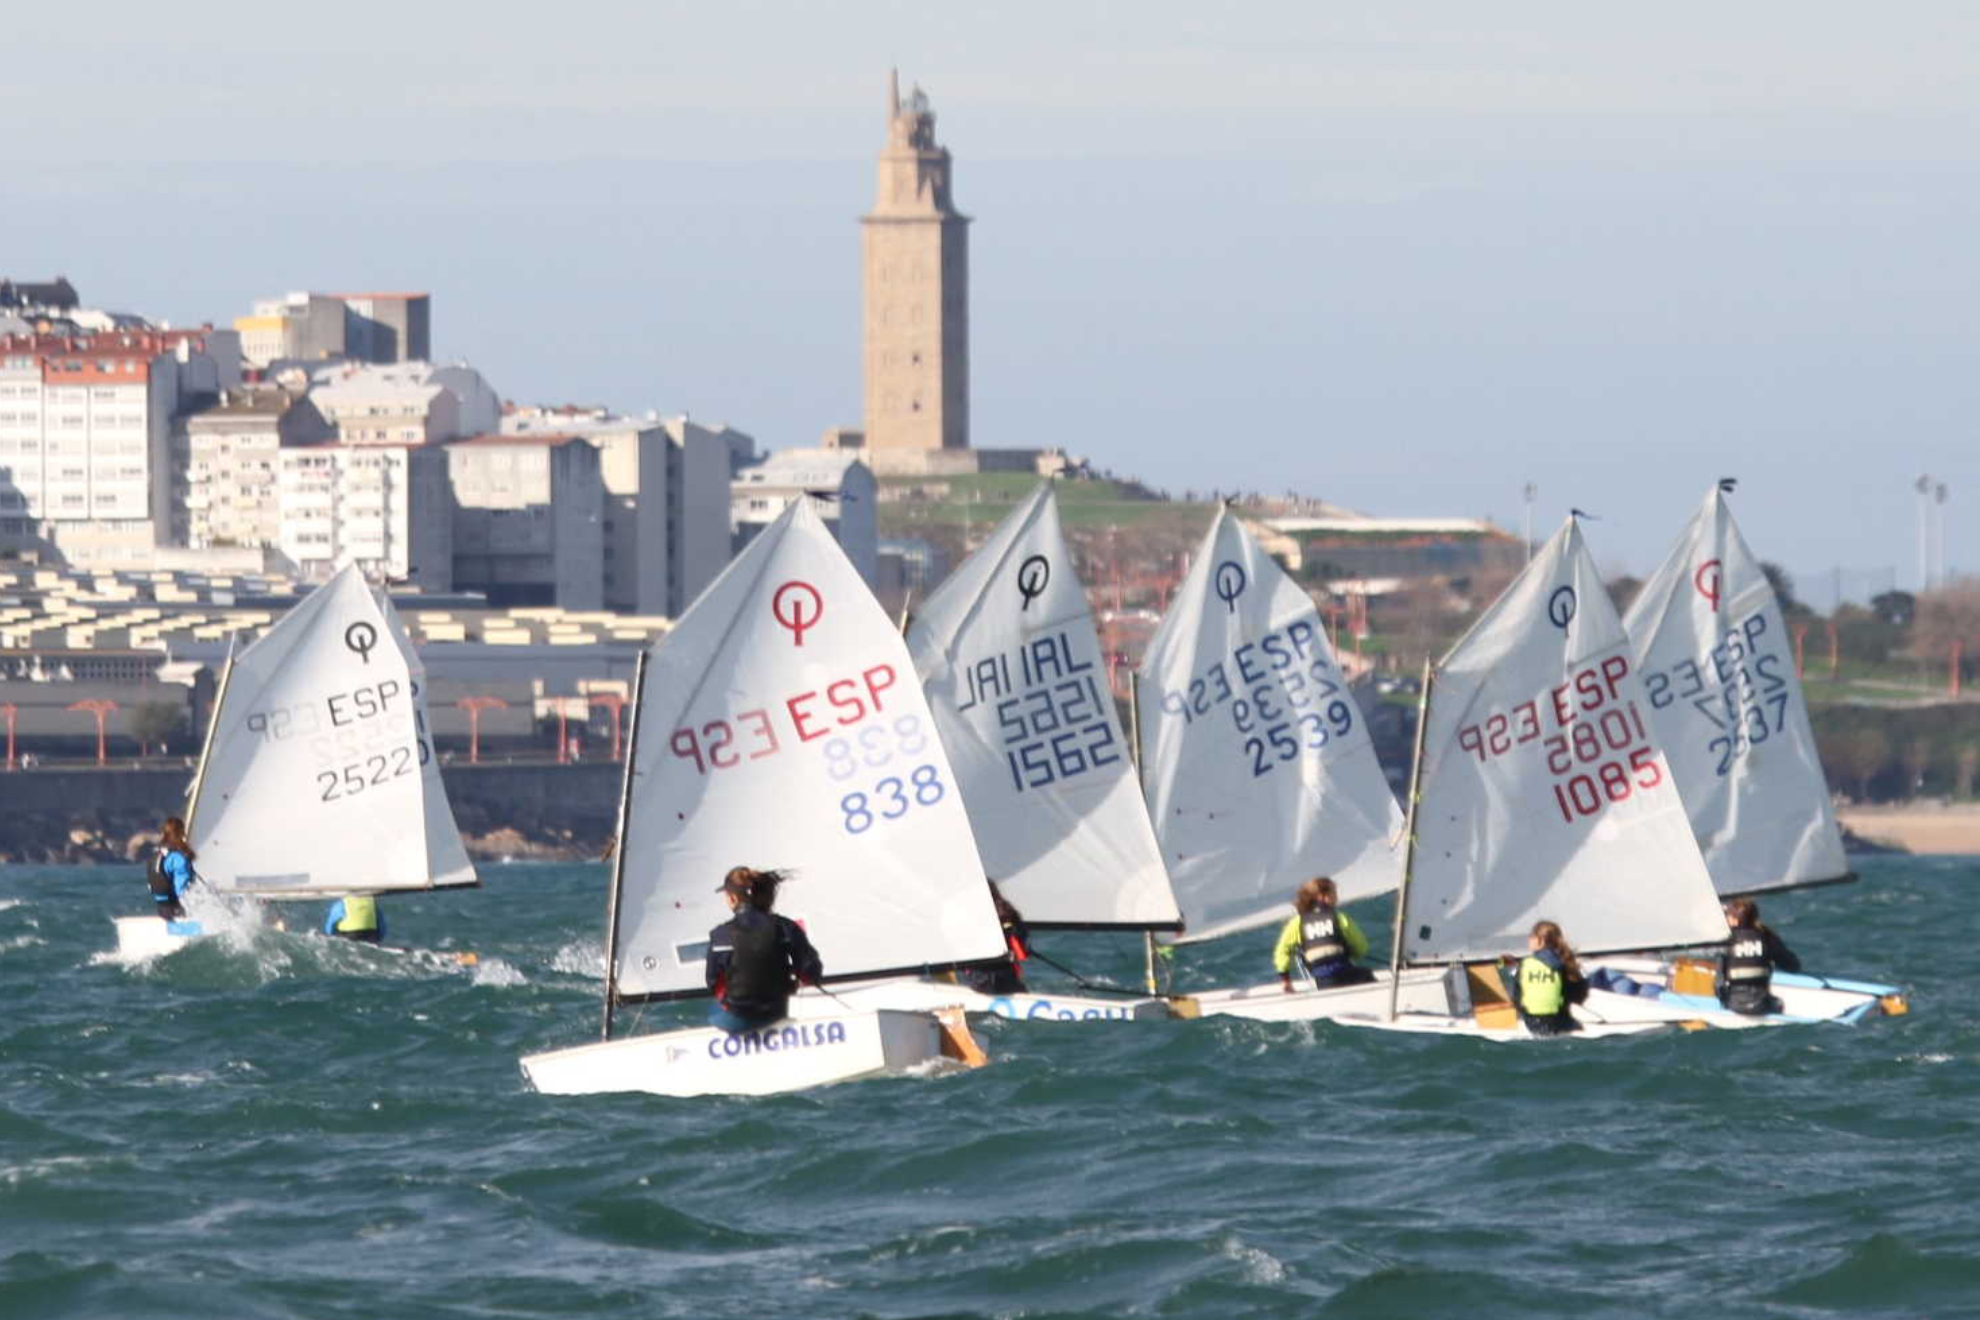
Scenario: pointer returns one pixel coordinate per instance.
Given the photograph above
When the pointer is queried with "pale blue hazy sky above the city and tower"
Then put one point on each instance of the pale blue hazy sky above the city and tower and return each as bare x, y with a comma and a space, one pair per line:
1407, 258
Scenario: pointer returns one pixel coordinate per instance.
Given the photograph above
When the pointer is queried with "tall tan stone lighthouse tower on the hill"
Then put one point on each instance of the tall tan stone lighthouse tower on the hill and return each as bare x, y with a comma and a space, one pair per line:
916, 264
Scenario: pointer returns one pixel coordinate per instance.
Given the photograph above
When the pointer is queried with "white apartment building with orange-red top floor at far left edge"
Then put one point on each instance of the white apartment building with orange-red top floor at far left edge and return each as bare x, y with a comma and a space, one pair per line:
86, 428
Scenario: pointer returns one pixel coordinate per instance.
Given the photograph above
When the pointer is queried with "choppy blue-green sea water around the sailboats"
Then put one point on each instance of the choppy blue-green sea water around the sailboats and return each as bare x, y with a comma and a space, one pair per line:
292, 1127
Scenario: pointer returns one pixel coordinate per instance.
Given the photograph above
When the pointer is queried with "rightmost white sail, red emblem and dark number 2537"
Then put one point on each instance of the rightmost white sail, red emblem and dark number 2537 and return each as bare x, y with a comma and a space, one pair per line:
1728, 707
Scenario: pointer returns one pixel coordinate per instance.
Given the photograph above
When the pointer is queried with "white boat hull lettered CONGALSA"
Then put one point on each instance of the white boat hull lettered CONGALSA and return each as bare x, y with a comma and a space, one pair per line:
789, 1056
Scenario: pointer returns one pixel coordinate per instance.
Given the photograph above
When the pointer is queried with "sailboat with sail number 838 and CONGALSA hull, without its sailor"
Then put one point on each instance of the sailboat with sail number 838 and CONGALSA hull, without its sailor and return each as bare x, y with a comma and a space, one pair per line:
781, 727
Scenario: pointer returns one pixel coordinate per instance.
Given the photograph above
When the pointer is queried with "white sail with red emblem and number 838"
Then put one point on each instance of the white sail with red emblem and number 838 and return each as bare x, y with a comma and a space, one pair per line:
783, 729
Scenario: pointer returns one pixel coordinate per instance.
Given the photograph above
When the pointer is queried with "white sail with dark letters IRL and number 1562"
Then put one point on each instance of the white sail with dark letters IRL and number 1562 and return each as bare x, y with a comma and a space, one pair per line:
1015, 676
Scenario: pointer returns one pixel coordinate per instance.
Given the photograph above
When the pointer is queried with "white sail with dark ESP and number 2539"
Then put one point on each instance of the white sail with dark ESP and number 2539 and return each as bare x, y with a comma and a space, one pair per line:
1258, 763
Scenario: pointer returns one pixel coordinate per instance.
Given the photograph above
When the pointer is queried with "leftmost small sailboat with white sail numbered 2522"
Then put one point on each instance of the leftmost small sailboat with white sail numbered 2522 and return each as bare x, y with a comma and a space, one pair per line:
318, 777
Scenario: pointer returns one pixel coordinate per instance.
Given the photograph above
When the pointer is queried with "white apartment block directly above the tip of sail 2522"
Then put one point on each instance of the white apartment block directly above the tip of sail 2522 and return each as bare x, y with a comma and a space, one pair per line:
381, 506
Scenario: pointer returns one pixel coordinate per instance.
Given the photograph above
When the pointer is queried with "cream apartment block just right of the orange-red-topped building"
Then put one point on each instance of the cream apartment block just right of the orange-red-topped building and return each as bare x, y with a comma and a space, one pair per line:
235, 466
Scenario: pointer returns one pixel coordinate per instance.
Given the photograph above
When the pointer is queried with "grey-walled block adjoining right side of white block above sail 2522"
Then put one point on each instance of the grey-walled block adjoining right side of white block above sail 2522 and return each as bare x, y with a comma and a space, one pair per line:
528, 519
